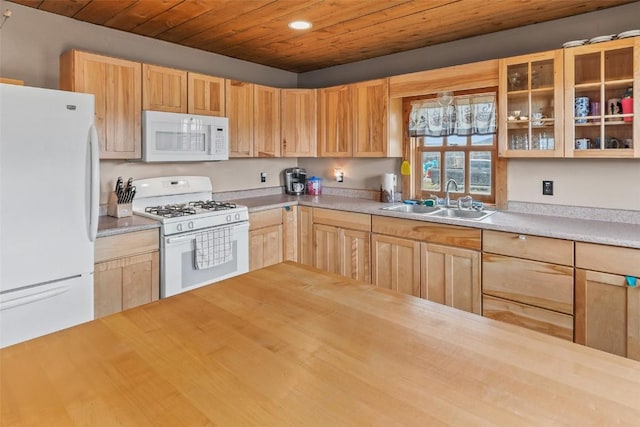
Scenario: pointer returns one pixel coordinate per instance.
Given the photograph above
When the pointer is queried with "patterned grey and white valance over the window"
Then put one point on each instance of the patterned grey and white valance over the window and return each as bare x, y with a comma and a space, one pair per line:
461, 115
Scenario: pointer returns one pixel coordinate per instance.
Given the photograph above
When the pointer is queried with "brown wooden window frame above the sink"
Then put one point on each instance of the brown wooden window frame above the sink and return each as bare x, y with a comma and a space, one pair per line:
415, 150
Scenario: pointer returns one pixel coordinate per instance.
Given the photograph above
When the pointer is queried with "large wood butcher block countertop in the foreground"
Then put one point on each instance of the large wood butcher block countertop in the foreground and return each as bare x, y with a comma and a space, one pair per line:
289, 345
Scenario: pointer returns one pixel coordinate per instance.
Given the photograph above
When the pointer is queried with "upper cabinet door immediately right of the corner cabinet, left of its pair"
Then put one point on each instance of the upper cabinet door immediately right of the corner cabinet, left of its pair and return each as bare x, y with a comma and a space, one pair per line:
335, 121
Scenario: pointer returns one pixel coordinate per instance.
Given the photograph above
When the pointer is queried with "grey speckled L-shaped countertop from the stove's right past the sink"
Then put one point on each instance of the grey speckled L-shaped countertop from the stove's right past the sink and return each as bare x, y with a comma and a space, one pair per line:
603, 232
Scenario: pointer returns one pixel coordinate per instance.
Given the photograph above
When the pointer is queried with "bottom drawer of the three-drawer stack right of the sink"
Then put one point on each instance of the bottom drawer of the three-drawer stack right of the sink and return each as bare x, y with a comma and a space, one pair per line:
537, 319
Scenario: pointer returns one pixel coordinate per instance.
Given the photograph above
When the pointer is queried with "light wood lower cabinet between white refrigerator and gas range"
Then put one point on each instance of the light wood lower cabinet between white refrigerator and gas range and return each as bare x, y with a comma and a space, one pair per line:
127, 271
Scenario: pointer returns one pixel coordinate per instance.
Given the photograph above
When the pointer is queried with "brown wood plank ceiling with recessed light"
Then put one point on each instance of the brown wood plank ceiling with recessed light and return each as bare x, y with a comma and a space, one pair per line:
343, 31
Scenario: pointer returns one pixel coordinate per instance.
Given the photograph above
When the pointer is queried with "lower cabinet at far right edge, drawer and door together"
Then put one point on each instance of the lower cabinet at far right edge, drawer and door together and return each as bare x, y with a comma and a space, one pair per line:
607, 308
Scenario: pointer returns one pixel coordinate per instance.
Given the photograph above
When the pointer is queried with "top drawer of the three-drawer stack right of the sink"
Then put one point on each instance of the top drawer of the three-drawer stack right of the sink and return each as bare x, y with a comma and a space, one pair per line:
530, 247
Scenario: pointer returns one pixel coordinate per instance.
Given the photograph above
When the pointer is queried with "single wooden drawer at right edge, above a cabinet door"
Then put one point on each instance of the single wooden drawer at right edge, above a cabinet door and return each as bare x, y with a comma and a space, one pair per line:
610, 259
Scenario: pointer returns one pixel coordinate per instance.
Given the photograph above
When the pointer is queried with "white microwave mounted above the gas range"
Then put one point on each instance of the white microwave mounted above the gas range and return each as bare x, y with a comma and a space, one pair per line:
176, 137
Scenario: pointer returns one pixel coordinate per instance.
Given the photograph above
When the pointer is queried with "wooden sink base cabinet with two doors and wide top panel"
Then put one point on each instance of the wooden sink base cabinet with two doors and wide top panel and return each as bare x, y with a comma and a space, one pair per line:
437, 262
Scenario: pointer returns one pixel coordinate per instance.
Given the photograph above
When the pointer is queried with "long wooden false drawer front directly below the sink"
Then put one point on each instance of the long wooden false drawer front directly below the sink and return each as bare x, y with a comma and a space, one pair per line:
450, 235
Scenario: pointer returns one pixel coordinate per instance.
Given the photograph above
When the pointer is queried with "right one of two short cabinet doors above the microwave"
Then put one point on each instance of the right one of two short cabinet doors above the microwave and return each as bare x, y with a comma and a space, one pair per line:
205, 95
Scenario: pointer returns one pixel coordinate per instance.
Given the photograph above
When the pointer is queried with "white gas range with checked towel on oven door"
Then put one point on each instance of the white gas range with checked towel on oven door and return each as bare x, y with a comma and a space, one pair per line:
202, 241
